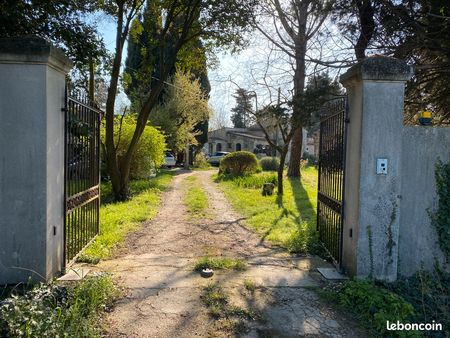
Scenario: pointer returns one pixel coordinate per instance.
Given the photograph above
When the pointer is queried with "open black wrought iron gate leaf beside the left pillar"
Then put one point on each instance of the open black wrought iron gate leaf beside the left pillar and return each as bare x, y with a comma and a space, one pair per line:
82, 174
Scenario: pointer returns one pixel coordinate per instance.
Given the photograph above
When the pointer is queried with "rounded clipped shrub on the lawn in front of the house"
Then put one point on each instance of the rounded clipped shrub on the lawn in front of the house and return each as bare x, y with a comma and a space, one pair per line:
239, 163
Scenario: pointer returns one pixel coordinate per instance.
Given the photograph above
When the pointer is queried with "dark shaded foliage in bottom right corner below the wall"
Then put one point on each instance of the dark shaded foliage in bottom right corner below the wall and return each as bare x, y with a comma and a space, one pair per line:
429, 294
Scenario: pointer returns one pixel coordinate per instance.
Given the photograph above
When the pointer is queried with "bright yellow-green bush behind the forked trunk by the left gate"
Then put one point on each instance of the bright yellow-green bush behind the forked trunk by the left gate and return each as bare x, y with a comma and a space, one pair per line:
149, 153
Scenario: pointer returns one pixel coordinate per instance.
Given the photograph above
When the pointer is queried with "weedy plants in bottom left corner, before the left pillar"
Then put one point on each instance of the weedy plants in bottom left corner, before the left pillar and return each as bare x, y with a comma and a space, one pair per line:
58, 311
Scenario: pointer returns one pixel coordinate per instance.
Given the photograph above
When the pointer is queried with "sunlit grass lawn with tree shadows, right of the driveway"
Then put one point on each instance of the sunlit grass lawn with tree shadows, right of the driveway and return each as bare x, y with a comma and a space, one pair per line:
290, 222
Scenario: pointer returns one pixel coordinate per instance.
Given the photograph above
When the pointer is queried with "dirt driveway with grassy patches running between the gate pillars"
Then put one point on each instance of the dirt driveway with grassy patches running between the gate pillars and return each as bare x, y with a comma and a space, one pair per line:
164, 294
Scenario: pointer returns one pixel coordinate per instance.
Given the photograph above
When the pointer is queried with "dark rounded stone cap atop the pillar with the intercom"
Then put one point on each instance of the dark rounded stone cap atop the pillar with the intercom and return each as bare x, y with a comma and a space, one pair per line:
378, 67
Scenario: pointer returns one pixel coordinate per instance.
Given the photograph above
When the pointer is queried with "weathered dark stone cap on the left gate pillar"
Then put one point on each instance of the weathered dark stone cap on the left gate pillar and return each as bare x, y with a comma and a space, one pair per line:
33, 50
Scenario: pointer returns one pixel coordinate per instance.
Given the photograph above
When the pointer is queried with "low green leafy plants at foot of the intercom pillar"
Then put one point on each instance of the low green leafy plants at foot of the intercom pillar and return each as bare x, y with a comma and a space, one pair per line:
373, 305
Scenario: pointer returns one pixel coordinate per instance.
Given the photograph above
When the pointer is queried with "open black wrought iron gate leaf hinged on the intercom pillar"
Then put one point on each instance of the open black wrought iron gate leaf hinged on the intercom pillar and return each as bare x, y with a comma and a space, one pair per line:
330, 204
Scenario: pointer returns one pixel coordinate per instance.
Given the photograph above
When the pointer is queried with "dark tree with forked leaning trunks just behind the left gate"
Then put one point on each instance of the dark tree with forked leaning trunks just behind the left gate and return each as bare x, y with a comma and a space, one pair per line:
178, 22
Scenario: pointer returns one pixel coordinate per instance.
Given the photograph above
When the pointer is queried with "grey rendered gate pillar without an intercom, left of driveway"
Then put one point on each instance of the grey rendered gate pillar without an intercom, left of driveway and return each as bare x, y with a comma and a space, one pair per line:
32, 82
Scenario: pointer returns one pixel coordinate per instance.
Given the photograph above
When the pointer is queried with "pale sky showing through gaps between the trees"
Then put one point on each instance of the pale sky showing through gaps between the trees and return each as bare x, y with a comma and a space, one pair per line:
247, 69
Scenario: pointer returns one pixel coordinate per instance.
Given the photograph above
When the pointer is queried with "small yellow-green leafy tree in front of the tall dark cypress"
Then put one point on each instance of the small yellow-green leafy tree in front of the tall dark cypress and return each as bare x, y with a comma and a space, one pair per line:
183, 107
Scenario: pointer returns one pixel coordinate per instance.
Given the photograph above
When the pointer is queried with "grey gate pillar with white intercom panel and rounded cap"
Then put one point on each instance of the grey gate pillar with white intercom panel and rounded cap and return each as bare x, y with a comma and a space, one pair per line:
375, 89
